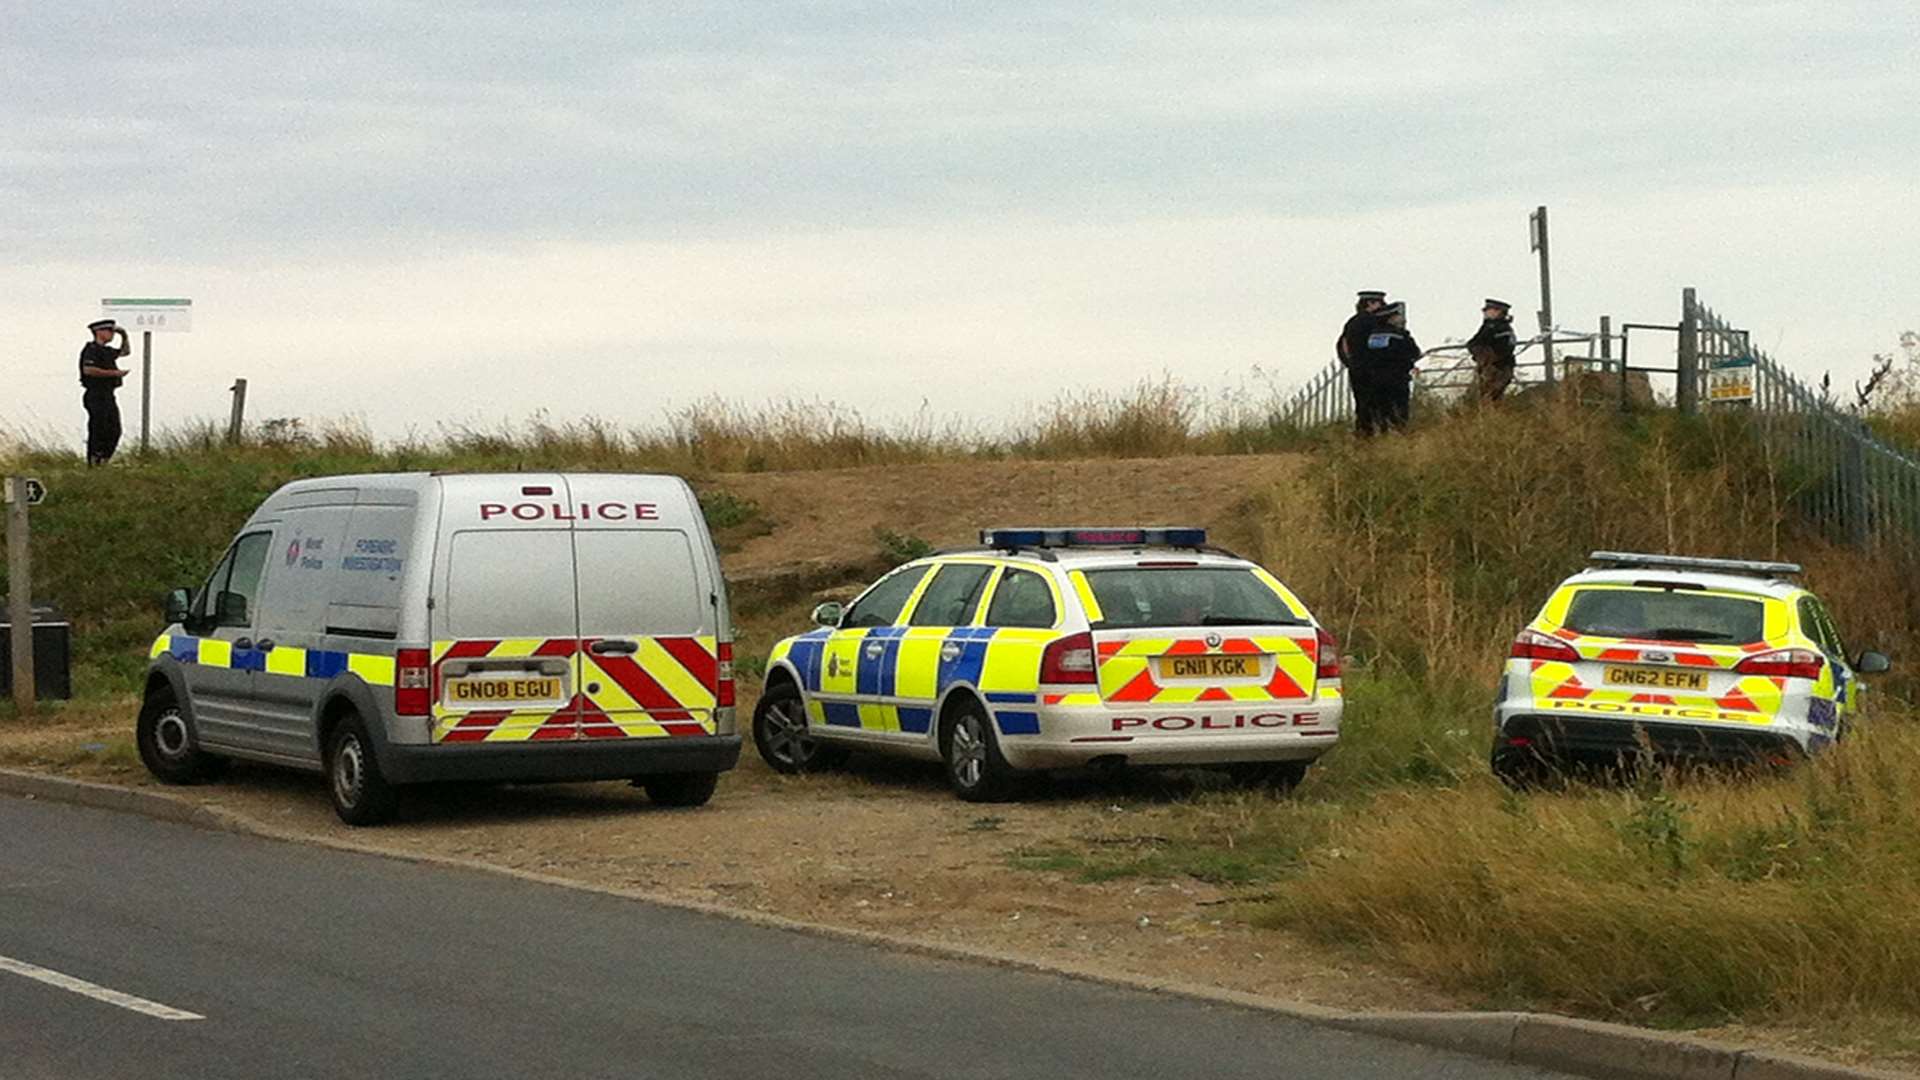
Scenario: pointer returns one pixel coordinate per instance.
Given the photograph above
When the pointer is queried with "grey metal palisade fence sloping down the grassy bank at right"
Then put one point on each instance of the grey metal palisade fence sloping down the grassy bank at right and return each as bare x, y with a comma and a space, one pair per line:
1848, 483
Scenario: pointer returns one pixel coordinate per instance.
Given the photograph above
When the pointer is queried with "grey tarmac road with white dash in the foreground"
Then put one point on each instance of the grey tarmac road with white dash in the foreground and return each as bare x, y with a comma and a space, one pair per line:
141, 948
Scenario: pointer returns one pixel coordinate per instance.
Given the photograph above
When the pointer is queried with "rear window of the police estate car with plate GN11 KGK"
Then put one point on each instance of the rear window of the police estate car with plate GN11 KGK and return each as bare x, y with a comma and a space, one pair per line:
1186, 597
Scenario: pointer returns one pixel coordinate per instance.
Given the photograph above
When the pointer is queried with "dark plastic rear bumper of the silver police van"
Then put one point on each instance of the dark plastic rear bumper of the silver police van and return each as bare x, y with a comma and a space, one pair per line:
554, 762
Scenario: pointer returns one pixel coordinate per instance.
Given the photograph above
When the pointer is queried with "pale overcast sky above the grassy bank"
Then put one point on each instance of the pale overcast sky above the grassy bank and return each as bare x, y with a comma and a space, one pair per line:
466, 212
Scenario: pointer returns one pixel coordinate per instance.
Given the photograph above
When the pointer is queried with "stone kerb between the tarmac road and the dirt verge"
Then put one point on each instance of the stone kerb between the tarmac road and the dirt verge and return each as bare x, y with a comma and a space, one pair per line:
1585, 1048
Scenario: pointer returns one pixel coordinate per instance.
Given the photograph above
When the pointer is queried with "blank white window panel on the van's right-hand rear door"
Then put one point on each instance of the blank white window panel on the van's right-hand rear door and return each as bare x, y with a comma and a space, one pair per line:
638, 583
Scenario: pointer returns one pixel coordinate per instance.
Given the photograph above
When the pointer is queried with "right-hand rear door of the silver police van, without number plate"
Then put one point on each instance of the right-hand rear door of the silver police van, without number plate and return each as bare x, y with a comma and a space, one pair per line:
650, 610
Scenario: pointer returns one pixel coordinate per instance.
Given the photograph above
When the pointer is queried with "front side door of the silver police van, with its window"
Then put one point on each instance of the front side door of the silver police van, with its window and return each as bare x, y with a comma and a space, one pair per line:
222, 639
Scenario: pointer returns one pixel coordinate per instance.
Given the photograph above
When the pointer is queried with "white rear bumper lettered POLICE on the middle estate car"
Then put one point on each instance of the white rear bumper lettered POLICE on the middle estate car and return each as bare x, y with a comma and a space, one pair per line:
1197, 735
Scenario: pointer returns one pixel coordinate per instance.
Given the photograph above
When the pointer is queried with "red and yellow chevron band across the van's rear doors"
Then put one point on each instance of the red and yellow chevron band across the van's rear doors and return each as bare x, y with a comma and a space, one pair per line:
665, 691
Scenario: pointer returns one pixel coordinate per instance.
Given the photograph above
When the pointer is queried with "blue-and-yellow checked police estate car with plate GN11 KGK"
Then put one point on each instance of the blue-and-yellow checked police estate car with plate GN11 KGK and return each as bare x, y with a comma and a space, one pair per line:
1051, 649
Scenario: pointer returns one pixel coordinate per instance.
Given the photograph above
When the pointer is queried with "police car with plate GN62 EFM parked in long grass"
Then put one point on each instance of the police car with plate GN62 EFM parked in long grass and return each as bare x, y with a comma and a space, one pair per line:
1687, 660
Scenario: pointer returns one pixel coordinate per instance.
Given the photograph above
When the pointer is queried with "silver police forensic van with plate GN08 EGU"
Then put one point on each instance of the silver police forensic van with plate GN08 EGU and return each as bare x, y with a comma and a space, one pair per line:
402, 629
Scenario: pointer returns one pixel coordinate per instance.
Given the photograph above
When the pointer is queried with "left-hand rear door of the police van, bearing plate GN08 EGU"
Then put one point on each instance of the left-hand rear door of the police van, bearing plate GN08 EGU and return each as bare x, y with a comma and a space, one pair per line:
506, 618
